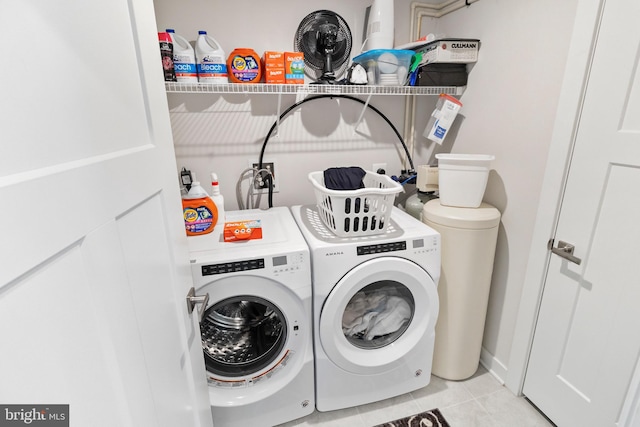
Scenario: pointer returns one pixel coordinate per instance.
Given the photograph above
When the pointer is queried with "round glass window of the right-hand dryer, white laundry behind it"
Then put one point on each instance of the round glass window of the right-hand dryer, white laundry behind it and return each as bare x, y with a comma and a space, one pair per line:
378, 314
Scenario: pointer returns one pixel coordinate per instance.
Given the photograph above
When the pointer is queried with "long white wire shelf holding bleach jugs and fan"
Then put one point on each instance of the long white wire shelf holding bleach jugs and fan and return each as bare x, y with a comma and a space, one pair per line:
266, 88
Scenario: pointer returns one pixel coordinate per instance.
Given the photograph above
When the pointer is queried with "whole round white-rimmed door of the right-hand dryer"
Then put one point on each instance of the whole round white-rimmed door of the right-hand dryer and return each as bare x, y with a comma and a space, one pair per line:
377, 313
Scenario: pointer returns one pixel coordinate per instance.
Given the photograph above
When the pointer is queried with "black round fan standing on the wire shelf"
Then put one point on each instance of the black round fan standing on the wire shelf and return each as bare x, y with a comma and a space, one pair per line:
313, 29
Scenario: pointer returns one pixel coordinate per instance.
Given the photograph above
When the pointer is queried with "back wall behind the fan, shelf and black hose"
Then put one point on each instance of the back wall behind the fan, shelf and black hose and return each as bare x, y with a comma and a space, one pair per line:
224, 133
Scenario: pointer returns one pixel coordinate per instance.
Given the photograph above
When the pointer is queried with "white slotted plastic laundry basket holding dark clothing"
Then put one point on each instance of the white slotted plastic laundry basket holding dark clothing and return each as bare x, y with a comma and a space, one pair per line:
362, 212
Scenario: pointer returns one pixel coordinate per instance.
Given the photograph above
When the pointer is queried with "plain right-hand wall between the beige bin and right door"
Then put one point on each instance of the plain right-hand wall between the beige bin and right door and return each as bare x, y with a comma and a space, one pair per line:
509, 108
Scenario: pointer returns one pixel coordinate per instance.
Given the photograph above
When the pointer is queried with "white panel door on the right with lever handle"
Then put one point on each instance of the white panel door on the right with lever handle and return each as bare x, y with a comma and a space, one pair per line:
586, 342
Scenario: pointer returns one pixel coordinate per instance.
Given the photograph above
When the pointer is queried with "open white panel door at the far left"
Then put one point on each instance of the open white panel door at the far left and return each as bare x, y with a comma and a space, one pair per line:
93, 259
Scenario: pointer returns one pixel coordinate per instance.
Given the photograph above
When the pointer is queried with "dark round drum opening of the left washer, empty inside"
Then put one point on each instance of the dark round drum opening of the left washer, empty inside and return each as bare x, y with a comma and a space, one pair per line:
242, 335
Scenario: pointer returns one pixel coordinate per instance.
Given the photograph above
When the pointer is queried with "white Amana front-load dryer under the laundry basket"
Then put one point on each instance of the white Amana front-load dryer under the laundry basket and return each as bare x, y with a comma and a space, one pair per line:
375, 306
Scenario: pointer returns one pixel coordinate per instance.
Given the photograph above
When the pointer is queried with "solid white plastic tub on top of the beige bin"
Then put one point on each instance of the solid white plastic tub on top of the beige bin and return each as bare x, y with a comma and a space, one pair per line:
462, 178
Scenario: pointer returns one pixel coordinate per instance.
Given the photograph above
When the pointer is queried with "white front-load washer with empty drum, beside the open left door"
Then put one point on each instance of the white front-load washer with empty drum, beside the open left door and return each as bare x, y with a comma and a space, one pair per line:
256, 330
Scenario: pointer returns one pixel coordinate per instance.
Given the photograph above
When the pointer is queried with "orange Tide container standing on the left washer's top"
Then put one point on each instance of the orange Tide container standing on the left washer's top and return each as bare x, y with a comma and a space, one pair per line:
199, 211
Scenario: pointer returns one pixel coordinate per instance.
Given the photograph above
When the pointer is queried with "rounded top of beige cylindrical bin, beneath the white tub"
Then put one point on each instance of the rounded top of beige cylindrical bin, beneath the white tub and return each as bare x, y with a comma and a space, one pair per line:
484, 216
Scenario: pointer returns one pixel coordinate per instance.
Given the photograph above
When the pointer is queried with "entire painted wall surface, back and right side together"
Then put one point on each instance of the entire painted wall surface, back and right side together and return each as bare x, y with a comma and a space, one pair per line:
509, 108
